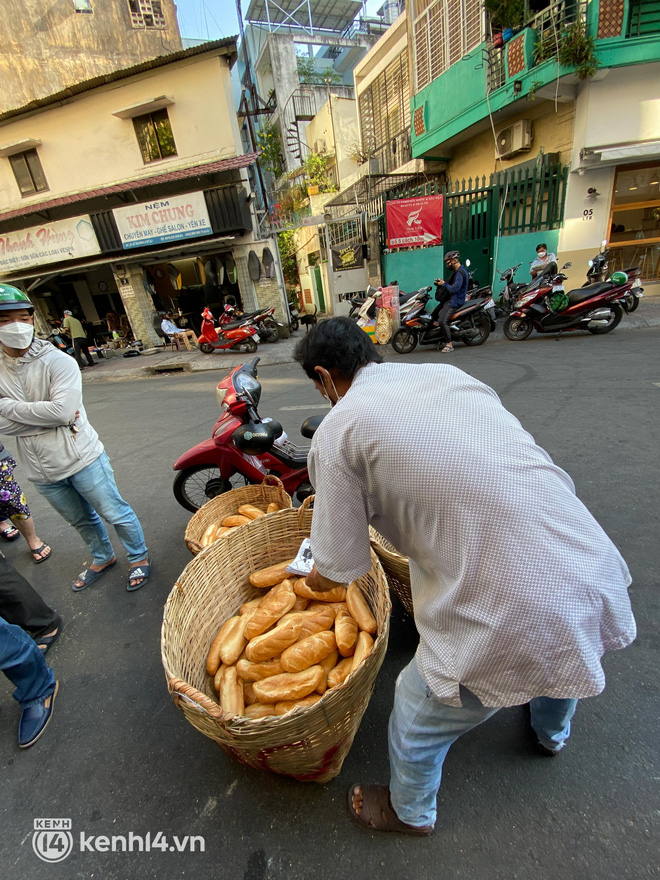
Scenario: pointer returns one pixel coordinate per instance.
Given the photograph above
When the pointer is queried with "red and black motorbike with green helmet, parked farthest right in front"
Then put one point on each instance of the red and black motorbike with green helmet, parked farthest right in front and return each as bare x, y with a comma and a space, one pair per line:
595, 307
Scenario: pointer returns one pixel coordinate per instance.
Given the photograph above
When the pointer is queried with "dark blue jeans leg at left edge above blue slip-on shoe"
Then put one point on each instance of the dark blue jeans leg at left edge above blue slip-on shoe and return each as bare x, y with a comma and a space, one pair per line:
23, 664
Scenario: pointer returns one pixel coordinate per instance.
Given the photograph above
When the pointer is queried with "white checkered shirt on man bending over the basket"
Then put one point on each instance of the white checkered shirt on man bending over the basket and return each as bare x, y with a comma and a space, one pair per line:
517, 590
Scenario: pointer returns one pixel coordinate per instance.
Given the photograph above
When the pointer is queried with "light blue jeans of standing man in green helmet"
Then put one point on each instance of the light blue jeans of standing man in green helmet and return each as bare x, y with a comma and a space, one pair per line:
93, 491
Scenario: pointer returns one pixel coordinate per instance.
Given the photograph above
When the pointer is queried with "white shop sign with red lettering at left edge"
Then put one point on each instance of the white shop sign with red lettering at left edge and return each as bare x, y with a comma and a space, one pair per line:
50, 243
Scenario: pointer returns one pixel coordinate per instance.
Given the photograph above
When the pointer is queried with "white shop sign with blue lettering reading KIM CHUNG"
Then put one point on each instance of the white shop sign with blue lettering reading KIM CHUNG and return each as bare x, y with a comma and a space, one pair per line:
163, 220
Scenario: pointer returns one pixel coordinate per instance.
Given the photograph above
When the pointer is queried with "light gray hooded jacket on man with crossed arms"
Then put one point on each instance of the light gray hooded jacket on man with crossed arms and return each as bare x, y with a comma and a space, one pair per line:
40, 394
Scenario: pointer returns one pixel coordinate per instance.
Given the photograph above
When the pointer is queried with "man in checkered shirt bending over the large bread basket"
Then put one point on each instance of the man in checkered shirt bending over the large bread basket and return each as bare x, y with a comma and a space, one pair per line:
431, 459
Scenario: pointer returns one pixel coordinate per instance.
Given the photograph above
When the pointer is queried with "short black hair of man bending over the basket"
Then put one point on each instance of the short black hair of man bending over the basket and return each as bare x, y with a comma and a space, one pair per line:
336, 344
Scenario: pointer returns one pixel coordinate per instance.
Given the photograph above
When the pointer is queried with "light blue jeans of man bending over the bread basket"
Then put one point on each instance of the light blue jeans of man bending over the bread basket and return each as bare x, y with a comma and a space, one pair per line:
421, 730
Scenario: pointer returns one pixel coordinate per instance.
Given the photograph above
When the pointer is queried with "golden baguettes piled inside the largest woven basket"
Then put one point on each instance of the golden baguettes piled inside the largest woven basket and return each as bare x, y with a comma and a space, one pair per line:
284, 649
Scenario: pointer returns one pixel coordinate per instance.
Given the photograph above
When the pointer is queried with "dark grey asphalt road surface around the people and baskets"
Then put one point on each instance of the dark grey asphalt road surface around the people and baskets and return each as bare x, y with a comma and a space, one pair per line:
119, 758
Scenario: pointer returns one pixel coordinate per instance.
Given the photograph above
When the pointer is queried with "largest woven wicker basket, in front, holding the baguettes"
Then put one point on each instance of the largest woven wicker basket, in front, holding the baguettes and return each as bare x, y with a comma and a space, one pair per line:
308, 744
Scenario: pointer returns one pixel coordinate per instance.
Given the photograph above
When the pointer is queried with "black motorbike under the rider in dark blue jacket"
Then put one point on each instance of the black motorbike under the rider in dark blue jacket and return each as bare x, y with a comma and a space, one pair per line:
469, 324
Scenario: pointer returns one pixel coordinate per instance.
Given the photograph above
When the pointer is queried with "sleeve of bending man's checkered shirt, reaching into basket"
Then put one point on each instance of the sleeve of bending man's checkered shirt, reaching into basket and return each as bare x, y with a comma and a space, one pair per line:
340, 528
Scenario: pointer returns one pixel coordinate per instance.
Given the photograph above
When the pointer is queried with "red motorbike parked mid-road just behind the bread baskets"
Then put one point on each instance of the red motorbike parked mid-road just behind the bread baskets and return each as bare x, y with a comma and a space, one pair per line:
243, 447
